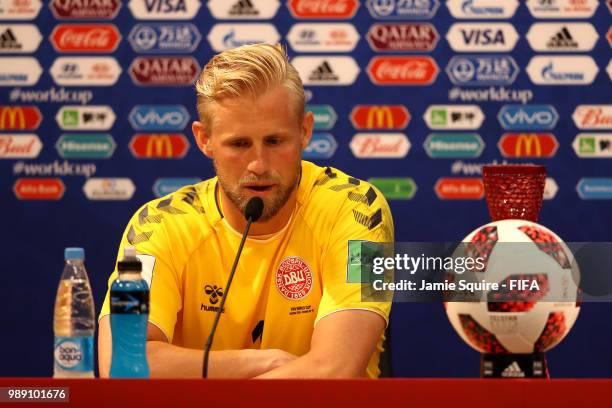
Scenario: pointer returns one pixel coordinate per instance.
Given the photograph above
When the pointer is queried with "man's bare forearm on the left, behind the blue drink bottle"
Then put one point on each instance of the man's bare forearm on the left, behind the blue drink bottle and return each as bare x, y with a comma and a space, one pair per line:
170, 361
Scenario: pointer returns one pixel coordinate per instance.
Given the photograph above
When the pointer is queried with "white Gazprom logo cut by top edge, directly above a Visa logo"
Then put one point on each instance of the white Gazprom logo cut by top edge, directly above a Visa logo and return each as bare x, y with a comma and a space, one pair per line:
482, 9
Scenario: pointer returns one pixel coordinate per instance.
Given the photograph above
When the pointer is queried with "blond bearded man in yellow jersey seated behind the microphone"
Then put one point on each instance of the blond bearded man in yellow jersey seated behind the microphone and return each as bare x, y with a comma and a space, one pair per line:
291, 311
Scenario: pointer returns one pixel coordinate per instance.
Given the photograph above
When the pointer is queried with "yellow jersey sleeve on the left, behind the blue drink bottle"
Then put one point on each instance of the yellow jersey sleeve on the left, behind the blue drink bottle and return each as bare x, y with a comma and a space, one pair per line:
147, 232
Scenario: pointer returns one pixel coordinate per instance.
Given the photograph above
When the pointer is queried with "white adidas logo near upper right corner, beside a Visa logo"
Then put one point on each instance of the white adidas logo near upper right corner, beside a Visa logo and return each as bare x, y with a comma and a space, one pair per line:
562, 37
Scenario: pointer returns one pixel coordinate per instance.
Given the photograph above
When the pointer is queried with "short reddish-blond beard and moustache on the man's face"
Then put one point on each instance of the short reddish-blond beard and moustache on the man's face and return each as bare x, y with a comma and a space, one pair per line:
271, 206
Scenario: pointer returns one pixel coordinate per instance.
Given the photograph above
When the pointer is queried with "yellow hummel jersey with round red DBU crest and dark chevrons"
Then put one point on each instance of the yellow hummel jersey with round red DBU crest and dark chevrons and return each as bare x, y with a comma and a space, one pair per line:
284, 283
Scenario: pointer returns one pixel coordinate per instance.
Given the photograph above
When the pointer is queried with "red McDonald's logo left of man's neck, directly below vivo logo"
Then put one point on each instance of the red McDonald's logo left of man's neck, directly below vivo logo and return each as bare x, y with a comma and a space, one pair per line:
159, 146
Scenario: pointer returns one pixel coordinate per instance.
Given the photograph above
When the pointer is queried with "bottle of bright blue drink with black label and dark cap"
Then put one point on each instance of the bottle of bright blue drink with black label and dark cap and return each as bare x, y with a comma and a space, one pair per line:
129, 304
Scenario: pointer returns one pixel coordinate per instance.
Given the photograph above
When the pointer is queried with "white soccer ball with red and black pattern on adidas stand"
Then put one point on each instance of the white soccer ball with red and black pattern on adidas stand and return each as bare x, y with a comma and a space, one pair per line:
537, 301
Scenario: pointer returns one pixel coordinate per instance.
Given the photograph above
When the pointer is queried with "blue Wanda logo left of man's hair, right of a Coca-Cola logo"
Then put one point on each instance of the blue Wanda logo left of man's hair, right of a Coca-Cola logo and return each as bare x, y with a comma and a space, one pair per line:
164, 37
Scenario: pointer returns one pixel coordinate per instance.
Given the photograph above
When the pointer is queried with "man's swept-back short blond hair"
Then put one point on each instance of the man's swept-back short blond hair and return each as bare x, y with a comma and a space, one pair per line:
249, 70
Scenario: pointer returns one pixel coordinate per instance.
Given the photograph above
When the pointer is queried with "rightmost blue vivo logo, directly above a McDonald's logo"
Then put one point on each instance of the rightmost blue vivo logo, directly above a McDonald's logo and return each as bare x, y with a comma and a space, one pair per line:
528, 117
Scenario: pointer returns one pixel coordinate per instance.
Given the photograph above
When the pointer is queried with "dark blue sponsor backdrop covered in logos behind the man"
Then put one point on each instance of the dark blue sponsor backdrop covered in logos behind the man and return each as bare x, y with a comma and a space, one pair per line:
96, 101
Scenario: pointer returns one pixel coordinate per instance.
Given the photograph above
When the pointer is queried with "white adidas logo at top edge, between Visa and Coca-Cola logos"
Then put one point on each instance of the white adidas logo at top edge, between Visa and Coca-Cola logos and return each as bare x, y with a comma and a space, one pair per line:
243, 9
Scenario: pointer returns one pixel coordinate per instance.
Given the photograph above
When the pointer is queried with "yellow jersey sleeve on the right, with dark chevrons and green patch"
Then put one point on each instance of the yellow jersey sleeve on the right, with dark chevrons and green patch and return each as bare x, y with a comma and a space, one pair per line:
362, 224
